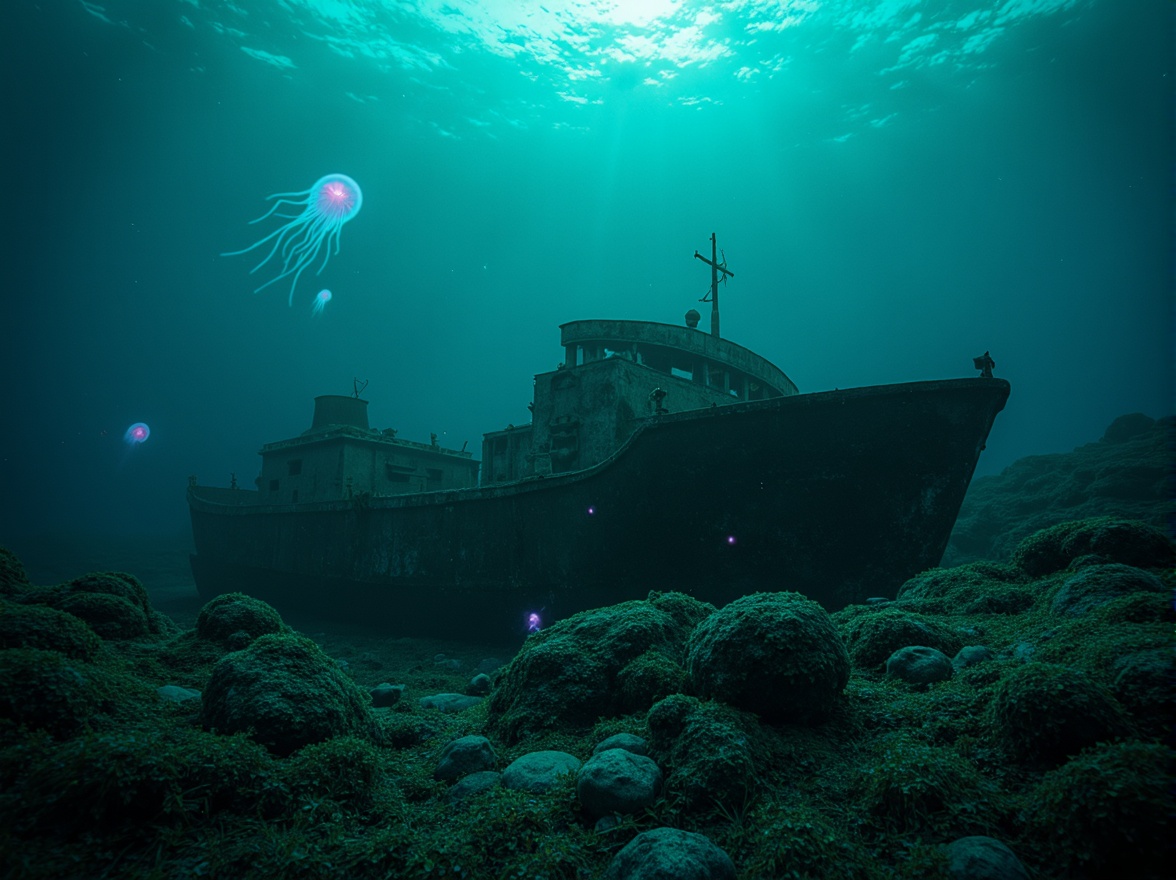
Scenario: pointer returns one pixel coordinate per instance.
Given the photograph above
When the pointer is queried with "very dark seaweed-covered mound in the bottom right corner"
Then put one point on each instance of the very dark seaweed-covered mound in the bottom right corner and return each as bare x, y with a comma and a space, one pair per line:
1108, 814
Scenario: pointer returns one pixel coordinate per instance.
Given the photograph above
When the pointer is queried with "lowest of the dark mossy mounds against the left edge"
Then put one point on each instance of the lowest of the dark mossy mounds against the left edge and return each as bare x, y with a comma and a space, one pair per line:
45, 691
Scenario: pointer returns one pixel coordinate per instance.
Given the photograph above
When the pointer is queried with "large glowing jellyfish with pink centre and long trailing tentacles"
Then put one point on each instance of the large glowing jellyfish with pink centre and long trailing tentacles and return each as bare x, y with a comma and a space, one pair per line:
325, 208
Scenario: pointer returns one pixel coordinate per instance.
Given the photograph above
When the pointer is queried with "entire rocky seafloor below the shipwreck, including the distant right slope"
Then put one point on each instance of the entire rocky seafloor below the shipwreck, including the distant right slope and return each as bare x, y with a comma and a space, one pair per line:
1038, 712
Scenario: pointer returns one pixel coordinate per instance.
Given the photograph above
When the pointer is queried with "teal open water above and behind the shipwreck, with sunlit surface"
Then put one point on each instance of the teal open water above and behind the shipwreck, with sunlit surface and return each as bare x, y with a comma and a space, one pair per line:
898, 186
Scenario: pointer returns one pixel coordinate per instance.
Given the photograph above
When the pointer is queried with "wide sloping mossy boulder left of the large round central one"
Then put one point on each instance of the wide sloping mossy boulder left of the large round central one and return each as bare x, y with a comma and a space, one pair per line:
594, 664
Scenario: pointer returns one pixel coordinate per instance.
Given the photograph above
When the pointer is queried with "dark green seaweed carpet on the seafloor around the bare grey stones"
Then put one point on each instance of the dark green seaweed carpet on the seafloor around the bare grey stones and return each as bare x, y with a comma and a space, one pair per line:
1054, 746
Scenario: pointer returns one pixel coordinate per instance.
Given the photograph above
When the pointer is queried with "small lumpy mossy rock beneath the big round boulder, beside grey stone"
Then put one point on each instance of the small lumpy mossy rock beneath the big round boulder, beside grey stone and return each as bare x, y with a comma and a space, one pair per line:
706, 751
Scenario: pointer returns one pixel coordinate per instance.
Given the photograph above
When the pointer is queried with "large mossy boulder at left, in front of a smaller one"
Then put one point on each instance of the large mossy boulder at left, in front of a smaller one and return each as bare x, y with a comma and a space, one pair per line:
286, 694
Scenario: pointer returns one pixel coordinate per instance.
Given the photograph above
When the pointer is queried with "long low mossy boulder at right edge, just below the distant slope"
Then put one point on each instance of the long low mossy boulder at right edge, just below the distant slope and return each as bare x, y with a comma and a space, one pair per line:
1127, 542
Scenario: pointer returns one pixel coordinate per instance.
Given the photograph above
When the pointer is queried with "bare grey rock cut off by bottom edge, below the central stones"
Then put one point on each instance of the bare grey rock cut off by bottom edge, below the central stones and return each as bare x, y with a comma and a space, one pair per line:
671, 855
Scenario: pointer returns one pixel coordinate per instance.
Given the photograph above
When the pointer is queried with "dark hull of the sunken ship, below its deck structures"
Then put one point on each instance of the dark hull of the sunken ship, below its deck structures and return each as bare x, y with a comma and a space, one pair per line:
840, 496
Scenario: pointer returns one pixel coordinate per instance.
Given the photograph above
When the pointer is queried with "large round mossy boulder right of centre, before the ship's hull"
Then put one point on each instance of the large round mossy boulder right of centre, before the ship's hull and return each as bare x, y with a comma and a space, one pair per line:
777, 655
